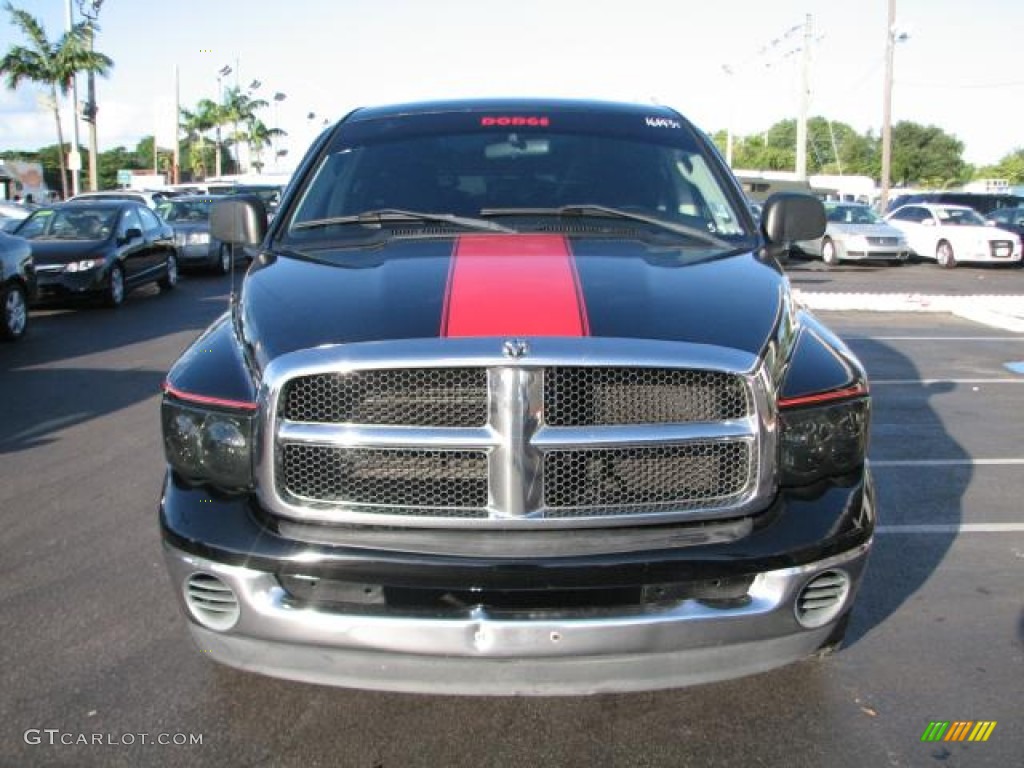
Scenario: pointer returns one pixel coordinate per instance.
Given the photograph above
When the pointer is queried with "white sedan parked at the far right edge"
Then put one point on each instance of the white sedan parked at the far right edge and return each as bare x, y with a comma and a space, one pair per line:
952, 235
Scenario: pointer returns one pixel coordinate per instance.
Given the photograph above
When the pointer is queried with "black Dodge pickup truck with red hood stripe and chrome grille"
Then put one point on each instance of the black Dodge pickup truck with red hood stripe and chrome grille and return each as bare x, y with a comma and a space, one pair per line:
516, 400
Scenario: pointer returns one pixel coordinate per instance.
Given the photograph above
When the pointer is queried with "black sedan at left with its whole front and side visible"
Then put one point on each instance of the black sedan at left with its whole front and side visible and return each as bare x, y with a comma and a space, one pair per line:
100, 250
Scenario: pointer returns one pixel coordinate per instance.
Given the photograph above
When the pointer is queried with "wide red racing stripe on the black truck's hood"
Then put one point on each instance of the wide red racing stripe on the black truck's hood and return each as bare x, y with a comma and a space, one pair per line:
514, 285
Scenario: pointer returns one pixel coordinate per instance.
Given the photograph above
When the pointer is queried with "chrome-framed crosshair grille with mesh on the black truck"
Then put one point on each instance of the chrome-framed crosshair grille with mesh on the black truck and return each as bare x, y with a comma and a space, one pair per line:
488, 442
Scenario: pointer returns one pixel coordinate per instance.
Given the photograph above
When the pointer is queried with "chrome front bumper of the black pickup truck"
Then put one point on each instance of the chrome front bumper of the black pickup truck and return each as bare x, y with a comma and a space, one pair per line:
685, 644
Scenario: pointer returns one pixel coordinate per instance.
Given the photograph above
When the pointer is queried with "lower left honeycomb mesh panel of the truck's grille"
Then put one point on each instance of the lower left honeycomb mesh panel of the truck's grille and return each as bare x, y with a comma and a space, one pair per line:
399, 479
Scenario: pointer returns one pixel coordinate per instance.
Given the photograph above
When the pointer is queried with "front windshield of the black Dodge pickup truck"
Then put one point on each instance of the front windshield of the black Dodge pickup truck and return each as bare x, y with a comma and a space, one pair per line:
518, 178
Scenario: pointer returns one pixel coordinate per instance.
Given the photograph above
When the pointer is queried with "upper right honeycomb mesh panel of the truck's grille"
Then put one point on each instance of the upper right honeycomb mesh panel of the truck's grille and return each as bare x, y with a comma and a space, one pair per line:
594, 397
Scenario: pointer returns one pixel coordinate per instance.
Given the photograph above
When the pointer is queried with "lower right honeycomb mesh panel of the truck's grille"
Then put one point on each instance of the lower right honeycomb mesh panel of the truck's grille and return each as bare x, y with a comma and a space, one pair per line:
682, 476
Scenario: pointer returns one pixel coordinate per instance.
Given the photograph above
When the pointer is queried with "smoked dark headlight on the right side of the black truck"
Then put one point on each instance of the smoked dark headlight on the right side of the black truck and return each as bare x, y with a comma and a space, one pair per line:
823, 441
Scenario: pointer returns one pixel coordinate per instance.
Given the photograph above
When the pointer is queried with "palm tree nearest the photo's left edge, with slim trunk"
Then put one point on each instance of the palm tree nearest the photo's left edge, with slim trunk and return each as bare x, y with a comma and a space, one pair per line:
52, 64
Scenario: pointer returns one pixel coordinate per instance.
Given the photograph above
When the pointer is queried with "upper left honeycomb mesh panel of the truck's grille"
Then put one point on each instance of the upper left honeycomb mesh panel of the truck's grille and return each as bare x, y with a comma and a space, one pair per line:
418, 398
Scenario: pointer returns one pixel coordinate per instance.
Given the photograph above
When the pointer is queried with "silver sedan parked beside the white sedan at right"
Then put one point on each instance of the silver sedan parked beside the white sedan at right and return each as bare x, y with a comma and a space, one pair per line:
856, 232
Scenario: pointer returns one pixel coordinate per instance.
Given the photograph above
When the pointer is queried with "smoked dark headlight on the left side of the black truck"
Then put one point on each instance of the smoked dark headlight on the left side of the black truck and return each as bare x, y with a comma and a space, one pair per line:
207, 445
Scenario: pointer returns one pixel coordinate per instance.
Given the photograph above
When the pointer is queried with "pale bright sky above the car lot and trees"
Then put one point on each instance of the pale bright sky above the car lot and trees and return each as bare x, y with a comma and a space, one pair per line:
733, 64
